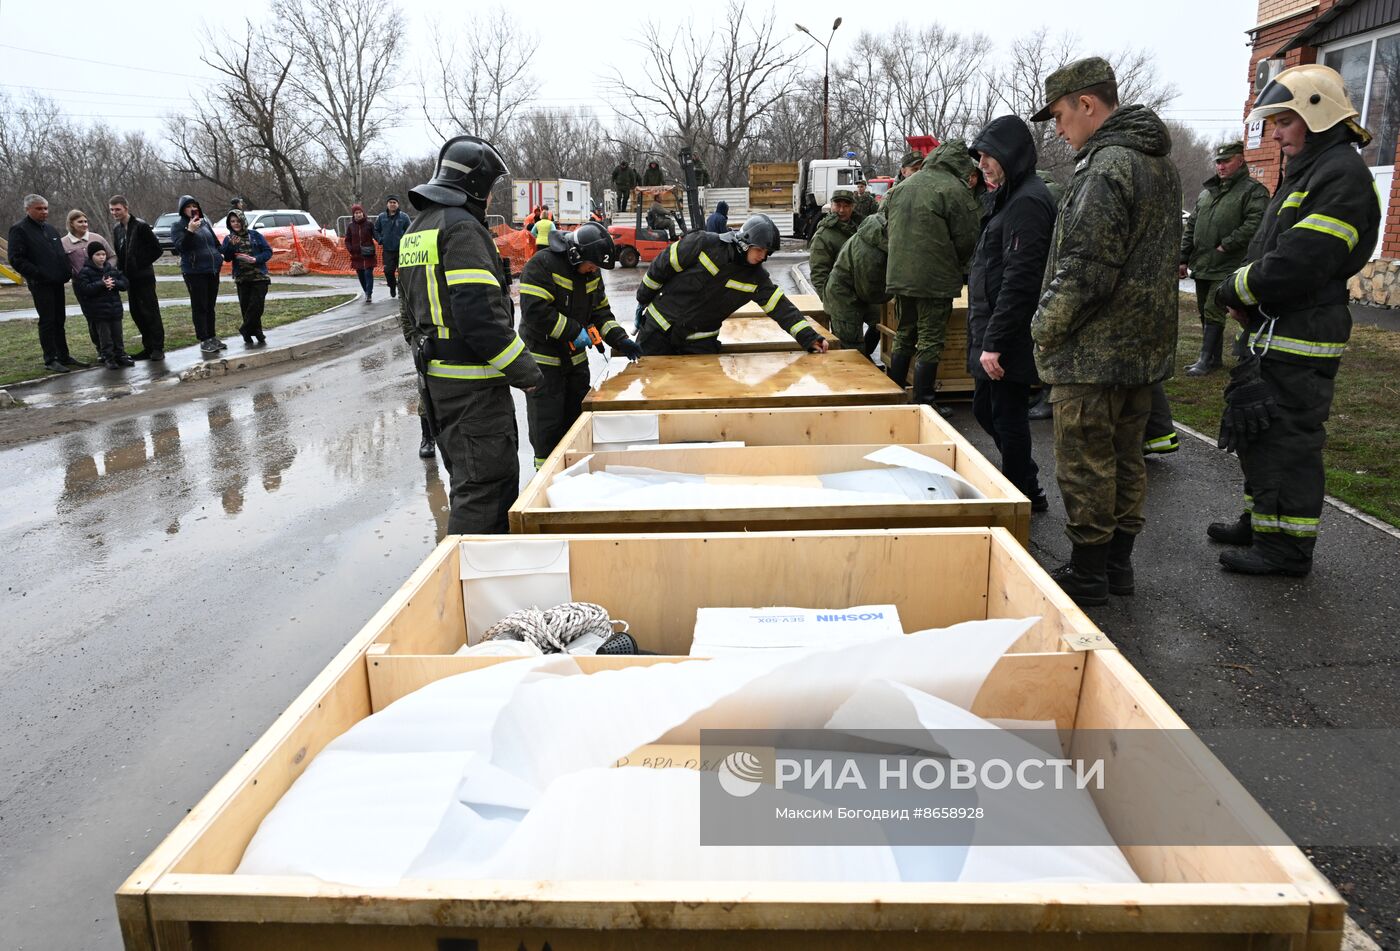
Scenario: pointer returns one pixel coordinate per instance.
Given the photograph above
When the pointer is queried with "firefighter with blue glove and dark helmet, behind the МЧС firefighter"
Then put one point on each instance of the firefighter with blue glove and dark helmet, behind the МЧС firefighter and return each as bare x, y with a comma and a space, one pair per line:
563, 305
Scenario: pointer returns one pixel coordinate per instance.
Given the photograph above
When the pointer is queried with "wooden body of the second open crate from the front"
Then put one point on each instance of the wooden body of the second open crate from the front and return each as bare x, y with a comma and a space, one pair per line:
793, 442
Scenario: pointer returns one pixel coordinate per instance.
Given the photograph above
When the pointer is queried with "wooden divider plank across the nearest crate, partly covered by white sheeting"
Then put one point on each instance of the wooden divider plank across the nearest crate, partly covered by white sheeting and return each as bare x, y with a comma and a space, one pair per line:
1021, 687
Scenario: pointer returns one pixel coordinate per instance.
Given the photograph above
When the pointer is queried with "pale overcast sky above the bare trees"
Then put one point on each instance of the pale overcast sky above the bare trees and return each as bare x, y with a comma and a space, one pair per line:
124, 62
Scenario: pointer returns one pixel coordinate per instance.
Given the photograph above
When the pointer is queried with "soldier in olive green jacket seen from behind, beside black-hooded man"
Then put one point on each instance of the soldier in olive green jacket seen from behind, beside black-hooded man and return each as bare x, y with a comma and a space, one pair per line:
934, 222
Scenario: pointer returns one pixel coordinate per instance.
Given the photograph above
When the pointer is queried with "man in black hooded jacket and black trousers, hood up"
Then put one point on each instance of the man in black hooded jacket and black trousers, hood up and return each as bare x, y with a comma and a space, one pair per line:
1003, 292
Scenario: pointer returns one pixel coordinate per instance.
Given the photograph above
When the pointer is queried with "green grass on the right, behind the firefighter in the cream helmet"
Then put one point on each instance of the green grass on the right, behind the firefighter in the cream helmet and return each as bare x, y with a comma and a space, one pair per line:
1363, 467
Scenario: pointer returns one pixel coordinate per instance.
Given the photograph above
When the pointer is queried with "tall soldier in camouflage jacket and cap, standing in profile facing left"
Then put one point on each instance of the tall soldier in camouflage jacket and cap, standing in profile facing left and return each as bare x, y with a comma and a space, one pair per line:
1105, 331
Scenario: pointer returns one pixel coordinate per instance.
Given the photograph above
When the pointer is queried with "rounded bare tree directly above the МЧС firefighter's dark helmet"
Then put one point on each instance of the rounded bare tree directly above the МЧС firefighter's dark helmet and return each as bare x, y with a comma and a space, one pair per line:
482, 86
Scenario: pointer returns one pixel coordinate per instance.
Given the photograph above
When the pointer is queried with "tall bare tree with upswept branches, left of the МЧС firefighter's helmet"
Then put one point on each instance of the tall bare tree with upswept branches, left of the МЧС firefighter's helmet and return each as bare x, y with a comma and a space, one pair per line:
348, 54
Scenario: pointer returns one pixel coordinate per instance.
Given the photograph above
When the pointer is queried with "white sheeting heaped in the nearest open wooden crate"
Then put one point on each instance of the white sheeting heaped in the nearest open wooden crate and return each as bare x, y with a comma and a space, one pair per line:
468, 777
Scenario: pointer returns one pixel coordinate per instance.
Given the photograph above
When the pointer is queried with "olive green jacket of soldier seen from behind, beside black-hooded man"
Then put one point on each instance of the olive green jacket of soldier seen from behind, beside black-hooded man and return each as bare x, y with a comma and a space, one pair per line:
933, 225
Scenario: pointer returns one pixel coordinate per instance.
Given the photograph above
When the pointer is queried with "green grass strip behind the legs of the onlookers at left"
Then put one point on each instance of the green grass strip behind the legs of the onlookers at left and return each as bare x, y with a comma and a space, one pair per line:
20, 356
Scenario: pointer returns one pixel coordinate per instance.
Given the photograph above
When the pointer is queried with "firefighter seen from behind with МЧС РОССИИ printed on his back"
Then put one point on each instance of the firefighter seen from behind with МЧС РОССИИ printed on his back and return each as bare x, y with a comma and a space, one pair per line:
454, 291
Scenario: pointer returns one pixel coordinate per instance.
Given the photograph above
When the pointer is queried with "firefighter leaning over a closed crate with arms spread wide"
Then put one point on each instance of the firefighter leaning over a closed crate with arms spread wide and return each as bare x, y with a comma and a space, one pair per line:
701, 281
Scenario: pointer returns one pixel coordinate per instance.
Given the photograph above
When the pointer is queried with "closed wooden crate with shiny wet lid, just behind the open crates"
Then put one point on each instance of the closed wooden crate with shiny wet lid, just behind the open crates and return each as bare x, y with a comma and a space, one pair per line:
717, 382
